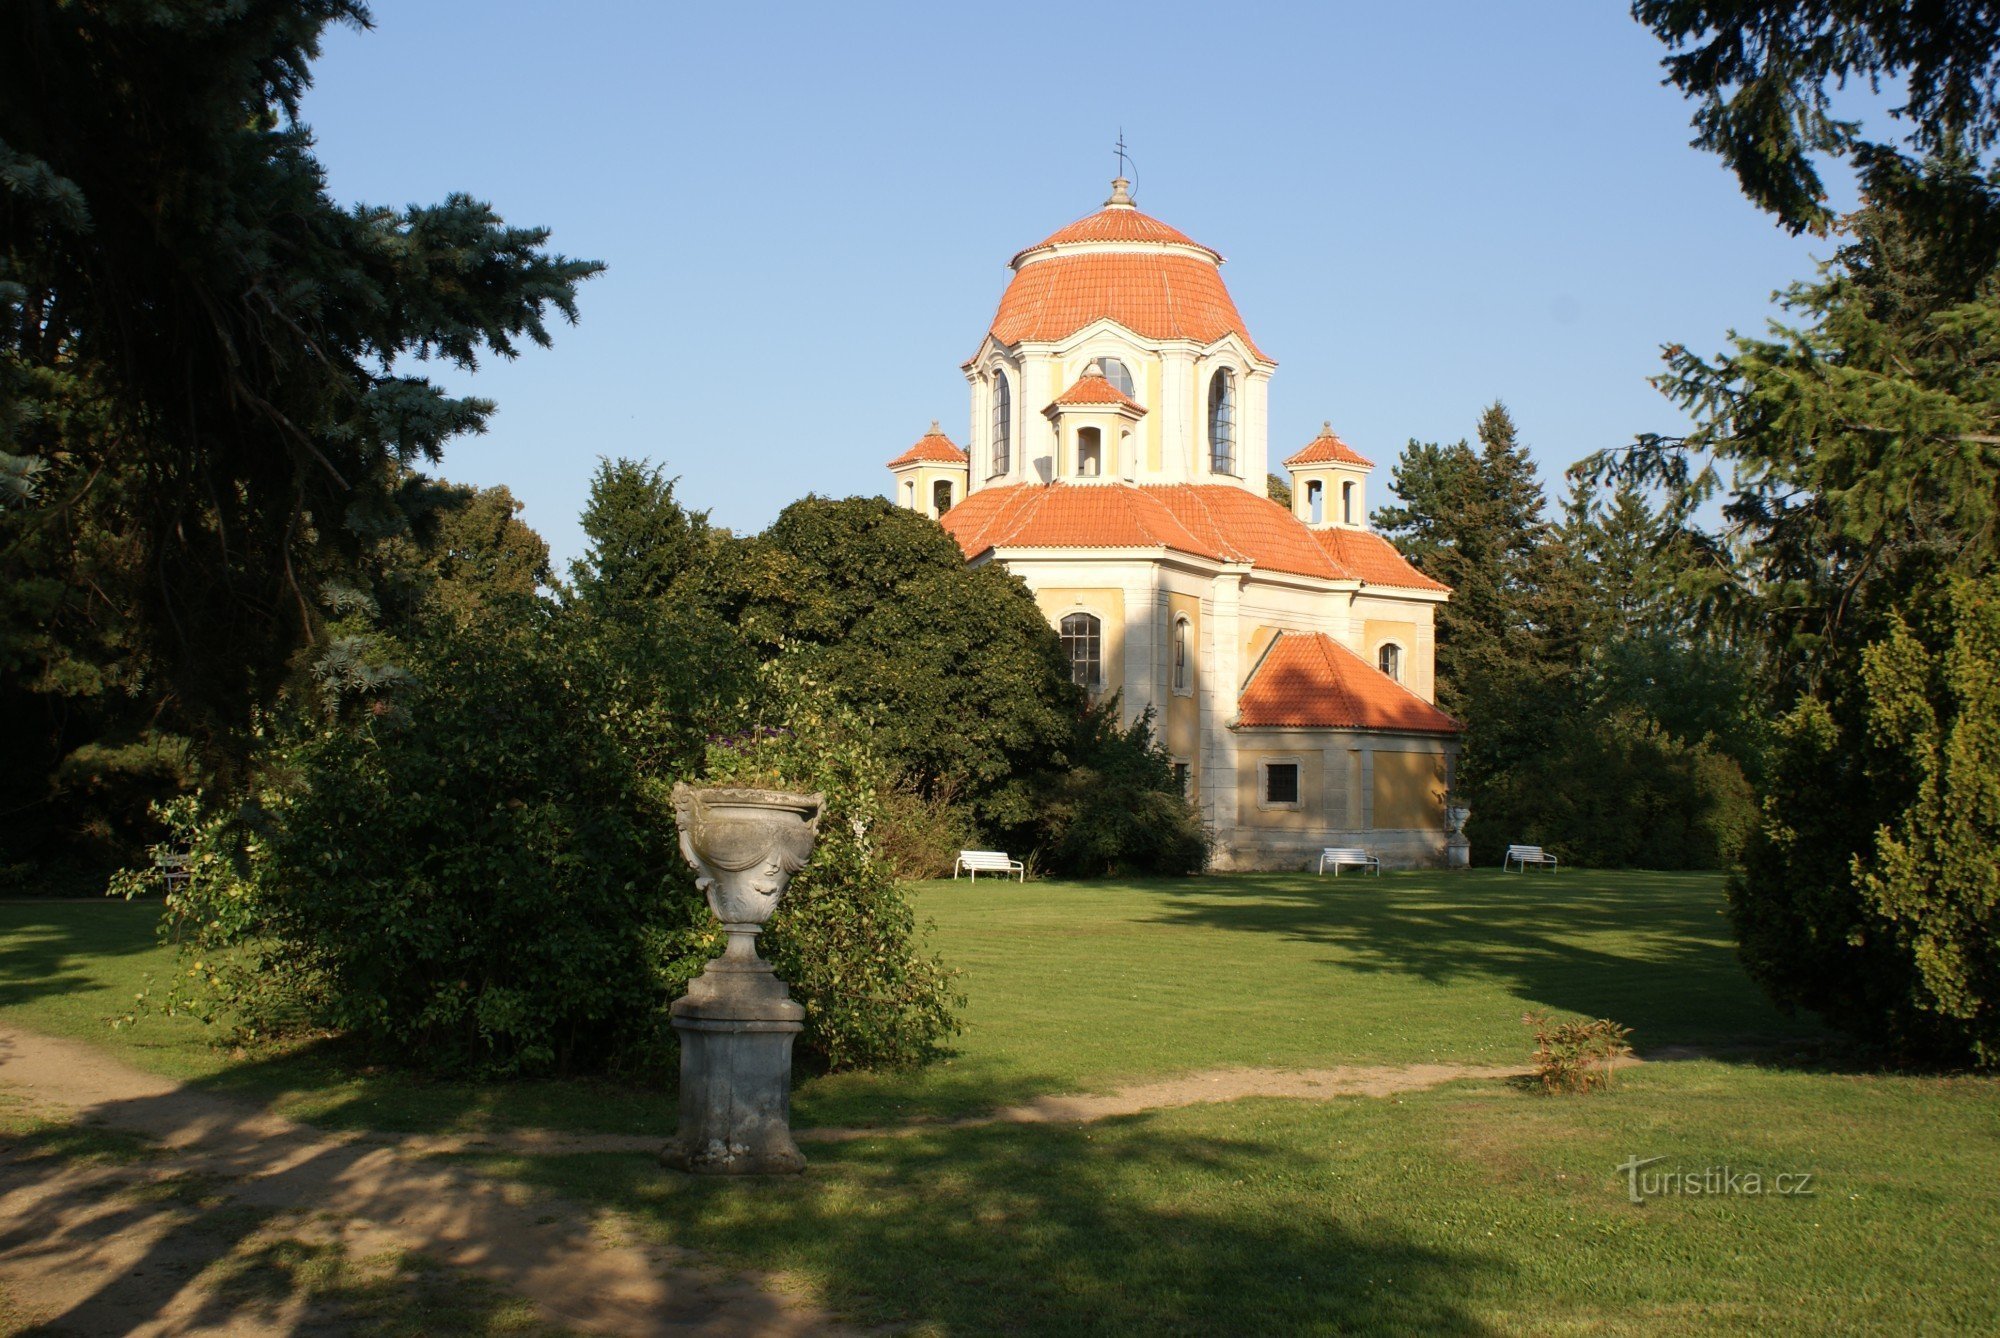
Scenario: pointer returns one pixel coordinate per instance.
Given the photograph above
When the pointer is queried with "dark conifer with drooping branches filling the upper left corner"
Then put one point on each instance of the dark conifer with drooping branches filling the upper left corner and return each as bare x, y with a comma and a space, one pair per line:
205, 353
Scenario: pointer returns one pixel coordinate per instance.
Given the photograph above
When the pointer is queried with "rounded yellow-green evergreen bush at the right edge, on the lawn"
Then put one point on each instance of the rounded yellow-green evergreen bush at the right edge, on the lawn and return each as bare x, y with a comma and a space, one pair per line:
1873, 893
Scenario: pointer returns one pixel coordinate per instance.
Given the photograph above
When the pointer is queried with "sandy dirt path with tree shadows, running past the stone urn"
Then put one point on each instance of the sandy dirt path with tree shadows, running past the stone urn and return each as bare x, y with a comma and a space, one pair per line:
107, 1247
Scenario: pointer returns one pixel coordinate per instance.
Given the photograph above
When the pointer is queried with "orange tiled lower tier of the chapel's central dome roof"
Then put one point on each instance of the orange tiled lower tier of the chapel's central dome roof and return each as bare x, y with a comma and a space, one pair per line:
1157, 295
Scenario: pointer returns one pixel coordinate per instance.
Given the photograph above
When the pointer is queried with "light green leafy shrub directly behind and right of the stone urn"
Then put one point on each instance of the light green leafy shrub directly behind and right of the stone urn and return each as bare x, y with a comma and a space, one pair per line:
845, 937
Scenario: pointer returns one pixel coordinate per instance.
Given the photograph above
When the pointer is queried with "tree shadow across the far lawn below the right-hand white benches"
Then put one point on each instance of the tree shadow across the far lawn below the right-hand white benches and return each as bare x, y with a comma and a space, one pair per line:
1651, 951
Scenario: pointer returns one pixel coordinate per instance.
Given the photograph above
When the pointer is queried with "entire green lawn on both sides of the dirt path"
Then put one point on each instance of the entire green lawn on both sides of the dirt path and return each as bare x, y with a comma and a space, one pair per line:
1479, 1207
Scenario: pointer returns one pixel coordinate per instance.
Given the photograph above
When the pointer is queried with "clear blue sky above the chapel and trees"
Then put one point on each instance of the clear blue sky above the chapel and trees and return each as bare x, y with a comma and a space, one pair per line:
807, 213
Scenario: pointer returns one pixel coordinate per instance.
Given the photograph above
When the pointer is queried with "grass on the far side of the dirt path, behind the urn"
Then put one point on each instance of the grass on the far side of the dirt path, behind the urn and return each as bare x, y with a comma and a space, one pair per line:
1073, 987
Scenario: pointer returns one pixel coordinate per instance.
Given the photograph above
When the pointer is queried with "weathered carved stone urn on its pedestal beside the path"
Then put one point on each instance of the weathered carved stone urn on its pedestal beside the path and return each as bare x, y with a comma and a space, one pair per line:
737, 1019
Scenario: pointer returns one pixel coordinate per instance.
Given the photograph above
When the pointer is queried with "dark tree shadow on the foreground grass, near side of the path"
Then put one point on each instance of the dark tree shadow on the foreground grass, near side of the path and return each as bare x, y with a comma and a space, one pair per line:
1113, 1229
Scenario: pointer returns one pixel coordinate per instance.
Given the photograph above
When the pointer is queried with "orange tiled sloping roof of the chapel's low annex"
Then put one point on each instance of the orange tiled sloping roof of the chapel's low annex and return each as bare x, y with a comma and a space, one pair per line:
1311, 681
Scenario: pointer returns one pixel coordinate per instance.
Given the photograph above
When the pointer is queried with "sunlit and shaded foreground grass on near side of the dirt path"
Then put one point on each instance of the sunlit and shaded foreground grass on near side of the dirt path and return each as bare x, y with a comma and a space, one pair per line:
1469, 1209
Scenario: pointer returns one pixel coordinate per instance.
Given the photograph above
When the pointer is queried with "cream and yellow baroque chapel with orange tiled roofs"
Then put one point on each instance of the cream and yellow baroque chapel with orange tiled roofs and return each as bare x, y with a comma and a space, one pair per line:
1117, 463
